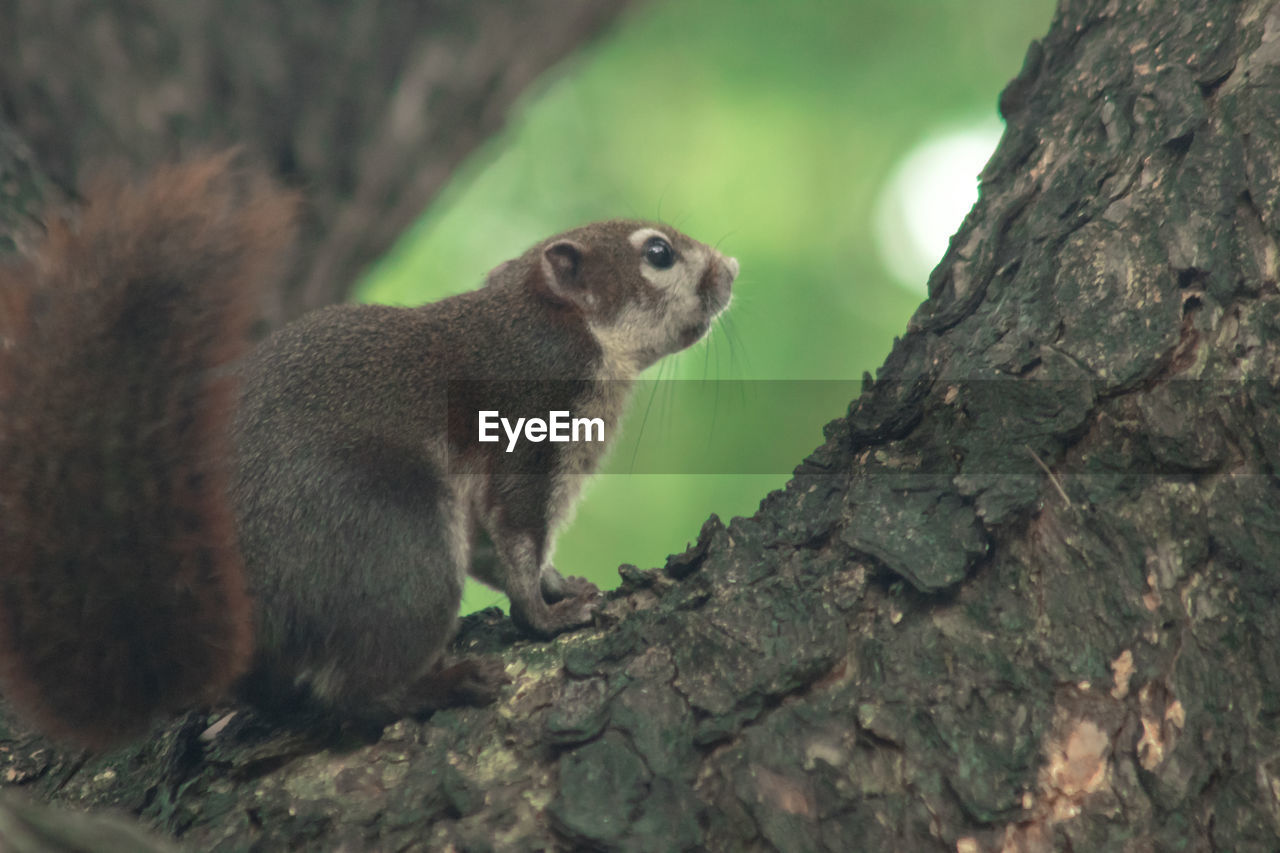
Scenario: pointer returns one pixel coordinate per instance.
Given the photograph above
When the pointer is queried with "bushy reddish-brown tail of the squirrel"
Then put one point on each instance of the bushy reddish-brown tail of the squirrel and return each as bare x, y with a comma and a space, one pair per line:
122, 590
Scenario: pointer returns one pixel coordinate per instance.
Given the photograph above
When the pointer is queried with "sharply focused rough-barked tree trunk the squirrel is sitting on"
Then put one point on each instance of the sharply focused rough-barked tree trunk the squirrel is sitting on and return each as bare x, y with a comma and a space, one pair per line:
1022, 599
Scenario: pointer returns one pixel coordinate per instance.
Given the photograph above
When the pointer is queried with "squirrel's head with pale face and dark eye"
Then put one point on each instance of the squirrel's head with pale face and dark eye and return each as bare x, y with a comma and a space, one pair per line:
644, 290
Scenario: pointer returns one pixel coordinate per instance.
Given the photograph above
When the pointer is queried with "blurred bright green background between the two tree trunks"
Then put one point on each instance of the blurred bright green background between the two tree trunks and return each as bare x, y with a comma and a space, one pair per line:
830, 145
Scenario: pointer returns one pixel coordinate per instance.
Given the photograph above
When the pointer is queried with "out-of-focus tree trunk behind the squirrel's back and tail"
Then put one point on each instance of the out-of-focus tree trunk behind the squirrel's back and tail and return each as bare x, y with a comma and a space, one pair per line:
369, 107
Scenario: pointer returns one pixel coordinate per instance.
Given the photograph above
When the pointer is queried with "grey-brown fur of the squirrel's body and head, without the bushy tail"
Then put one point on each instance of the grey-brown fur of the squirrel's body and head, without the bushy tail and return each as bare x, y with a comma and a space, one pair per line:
359, 503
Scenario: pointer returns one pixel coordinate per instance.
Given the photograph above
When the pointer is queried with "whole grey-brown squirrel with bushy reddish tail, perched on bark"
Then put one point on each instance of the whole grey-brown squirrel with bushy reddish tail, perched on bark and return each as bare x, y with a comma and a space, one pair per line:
186, 517
